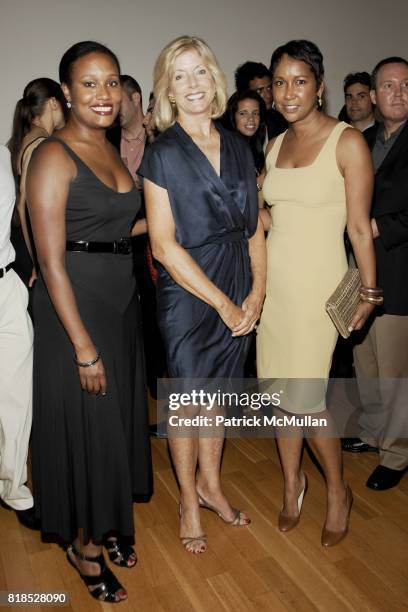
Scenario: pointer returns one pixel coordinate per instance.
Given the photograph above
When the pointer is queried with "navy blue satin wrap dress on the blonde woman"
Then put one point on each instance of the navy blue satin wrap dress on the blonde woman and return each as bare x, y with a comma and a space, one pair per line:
214, 218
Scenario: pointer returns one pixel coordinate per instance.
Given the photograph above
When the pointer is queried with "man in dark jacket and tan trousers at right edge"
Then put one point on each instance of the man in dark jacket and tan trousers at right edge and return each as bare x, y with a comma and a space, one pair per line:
381, 359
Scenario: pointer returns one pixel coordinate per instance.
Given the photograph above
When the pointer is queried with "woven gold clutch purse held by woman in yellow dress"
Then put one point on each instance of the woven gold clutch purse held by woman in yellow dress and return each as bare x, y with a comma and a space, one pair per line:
342, 304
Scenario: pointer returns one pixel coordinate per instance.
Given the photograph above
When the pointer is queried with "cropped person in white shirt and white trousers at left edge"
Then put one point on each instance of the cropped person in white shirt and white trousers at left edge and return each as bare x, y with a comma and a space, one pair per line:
16, 365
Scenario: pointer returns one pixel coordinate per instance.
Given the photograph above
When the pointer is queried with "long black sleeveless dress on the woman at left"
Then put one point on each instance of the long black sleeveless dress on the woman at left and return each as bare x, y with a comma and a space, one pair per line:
91, 454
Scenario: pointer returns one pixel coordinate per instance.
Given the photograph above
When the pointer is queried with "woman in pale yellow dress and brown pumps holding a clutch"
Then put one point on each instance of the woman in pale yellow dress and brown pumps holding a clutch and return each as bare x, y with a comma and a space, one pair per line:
319, 178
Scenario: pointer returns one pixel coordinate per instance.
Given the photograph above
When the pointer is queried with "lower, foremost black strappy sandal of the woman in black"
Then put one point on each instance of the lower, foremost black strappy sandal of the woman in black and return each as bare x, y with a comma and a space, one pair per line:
106, 585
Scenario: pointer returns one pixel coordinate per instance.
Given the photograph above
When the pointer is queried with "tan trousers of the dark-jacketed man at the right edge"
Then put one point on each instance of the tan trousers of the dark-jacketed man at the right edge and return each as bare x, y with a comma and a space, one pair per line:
381, 364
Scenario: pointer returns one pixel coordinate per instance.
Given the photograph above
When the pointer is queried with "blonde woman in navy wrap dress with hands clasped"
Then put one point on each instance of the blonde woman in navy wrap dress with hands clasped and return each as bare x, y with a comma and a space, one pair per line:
201, 201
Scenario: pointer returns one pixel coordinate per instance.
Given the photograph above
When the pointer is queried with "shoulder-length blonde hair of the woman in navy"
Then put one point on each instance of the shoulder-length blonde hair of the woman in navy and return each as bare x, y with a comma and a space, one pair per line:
165, 114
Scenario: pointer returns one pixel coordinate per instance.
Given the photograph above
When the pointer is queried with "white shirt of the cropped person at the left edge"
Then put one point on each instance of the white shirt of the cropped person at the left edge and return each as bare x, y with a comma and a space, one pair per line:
7, 200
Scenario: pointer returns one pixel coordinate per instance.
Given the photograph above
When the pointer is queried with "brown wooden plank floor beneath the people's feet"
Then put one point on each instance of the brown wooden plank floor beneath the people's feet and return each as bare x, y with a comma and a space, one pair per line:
254, 568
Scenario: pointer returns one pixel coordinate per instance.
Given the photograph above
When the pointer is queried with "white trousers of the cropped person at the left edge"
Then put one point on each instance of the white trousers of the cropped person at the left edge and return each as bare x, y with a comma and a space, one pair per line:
16, 382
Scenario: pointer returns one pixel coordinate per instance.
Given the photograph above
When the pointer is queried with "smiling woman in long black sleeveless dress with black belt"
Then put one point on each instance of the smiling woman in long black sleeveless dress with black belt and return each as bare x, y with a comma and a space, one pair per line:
90, 444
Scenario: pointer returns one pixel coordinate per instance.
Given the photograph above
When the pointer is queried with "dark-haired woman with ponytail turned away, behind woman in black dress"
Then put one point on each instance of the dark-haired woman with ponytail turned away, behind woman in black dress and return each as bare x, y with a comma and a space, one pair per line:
38, 113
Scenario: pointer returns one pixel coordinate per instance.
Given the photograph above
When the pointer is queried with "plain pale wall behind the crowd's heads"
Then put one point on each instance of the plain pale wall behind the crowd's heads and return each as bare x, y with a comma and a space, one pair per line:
352, 34
